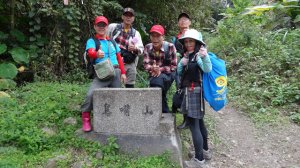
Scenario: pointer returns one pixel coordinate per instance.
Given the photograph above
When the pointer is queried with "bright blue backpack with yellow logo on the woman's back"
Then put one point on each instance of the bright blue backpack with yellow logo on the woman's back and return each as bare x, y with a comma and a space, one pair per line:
215, 83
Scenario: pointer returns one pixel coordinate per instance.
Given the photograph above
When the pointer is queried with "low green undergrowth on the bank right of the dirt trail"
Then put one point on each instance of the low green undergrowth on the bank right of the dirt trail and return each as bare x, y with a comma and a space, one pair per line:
263, 66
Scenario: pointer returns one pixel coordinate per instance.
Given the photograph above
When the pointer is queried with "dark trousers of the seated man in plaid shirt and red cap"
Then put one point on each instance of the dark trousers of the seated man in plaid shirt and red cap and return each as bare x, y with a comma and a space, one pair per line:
164, 81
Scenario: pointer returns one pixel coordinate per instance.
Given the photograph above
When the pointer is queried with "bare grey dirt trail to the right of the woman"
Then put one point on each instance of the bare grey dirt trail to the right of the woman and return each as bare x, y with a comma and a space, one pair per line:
246, 146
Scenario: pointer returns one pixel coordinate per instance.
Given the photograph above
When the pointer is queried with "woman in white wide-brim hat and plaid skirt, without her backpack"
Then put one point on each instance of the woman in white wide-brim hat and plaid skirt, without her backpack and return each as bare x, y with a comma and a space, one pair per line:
195, 62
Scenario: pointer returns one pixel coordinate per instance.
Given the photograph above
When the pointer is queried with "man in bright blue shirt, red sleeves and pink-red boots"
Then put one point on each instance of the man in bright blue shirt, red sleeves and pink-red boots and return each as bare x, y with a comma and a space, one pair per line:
100, 48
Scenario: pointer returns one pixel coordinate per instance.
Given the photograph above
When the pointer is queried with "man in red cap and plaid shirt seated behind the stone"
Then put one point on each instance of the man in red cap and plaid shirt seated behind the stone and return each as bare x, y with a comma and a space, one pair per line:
160, 62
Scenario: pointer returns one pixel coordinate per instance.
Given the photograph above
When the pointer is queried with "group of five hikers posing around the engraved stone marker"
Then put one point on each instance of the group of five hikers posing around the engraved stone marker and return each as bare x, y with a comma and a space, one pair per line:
121, 44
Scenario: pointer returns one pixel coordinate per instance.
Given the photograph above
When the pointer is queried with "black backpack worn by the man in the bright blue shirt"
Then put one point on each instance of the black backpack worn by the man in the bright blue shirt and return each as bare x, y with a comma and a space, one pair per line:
89, 62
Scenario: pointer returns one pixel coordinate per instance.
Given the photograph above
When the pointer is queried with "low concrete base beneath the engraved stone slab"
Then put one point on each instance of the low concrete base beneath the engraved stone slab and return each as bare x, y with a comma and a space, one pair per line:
146, 144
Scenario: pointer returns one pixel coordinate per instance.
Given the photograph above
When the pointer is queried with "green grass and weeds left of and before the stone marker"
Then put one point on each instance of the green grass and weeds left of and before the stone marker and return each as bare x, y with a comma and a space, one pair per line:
23, 143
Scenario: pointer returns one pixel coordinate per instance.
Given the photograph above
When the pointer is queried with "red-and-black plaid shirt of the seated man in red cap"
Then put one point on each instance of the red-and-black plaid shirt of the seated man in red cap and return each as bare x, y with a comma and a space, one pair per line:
150, 55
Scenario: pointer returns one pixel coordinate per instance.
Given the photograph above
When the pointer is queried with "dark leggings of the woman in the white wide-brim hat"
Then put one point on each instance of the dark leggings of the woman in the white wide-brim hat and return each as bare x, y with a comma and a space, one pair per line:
199, 135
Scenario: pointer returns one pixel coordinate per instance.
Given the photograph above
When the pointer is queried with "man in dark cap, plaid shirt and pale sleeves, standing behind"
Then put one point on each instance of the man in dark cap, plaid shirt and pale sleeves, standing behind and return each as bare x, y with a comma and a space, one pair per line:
130, 42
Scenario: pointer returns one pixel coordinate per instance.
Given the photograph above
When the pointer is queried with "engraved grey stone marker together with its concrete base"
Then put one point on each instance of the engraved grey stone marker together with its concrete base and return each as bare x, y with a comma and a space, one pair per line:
134, 116
